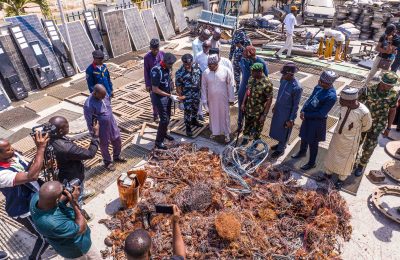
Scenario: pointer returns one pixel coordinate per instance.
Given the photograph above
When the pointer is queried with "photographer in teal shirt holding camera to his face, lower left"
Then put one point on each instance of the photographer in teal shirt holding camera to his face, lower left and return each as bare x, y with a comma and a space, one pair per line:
64, 227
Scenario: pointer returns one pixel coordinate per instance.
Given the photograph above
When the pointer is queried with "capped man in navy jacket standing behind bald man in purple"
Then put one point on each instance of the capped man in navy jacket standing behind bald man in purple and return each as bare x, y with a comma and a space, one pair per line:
97, 73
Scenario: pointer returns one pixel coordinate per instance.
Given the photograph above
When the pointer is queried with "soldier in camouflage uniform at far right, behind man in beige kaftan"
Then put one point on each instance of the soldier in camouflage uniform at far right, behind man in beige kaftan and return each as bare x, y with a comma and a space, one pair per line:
381, 100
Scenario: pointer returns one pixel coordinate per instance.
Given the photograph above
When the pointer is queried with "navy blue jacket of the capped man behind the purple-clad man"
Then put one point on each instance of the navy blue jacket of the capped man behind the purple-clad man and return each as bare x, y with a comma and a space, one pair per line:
94, 76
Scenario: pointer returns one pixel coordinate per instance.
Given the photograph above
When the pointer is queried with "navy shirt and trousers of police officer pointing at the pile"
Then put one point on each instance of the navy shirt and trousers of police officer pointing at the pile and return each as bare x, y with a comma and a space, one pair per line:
161, 78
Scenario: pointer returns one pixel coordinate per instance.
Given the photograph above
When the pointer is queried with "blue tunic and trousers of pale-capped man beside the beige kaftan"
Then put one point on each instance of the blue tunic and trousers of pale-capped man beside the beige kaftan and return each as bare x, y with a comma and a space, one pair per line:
313, 128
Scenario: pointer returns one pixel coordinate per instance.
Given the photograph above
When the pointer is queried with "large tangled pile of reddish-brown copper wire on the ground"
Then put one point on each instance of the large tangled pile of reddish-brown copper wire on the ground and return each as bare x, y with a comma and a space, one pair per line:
279, 217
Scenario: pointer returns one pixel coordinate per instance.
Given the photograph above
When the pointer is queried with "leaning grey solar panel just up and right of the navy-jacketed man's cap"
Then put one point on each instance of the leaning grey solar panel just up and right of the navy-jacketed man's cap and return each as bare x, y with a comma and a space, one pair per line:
117, 33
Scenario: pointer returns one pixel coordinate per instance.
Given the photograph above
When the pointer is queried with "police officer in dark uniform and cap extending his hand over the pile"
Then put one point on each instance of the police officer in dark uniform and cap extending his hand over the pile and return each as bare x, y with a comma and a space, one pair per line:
162, 86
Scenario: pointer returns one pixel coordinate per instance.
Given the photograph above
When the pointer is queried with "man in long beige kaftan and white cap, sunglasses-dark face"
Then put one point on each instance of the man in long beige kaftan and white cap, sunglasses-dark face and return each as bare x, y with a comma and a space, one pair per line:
355, 118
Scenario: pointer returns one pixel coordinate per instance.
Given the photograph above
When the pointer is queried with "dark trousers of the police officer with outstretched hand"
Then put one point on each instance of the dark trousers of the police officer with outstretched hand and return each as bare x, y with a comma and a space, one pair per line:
163, 105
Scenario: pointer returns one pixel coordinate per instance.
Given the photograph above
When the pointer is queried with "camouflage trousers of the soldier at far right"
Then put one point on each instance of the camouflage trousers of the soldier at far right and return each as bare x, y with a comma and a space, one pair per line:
369, 141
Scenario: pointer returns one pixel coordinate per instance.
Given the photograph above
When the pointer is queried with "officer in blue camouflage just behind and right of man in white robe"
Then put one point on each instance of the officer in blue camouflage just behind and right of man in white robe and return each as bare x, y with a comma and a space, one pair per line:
239, 42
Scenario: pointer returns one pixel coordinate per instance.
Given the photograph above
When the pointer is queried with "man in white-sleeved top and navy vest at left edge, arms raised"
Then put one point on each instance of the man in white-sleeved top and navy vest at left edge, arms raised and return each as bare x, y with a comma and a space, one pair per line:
18, 183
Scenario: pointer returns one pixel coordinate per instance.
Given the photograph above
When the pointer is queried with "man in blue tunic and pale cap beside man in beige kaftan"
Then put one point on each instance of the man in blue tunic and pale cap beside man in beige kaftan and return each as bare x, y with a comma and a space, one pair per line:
314, 114
